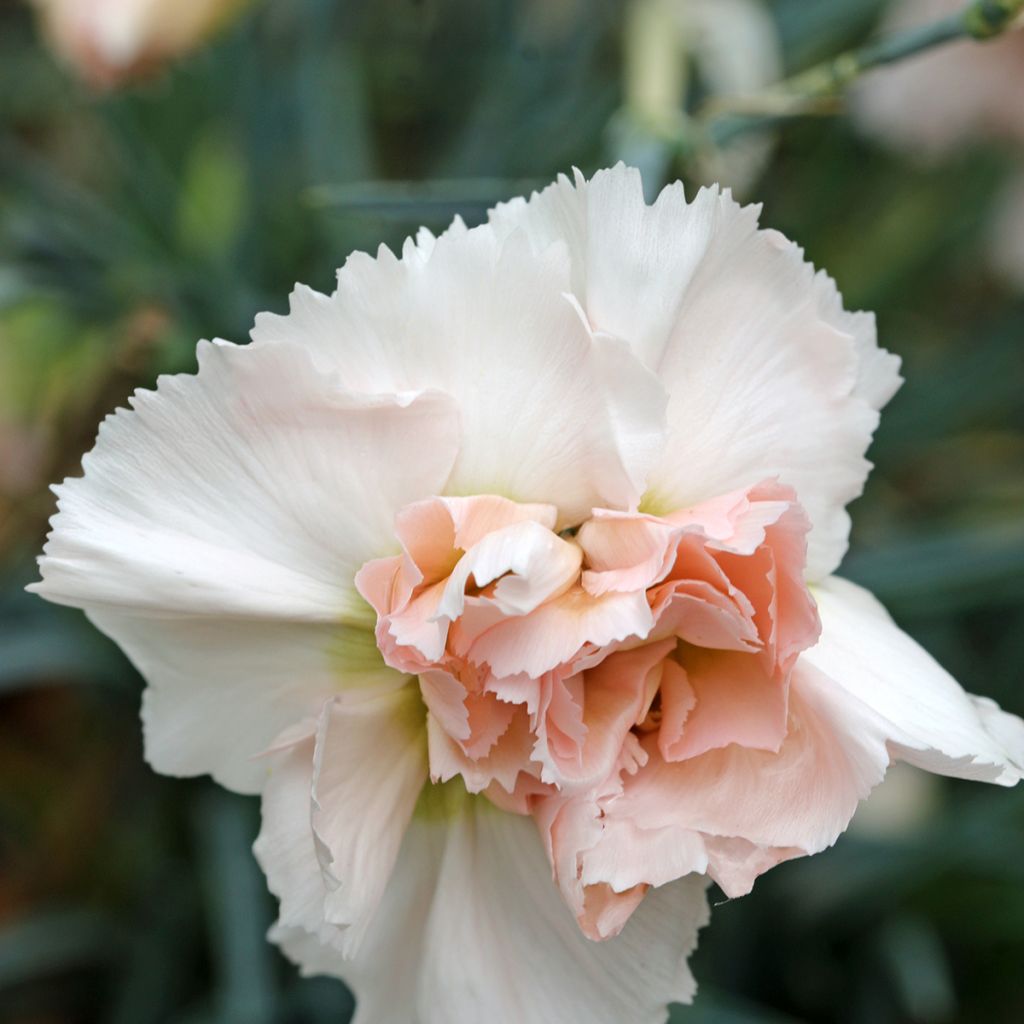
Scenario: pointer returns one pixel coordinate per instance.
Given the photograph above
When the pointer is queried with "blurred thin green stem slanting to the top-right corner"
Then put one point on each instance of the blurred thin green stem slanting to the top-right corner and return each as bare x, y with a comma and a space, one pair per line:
818, 90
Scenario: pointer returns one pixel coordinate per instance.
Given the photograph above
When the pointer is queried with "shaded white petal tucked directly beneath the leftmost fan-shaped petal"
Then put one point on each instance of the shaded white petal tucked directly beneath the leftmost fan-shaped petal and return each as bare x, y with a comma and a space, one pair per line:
221, 691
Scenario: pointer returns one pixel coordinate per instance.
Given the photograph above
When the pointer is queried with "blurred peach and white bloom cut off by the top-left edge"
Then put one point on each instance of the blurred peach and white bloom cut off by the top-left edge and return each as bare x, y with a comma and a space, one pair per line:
108, 42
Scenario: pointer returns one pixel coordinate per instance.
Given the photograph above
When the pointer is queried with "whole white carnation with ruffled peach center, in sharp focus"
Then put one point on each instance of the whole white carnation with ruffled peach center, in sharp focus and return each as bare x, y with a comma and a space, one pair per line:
503, 574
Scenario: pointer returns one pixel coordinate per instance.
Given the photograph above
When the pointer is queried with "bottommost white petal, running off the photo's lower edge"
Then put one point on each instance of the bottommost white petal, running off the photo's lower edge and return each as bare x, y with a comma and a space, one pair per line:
473, 929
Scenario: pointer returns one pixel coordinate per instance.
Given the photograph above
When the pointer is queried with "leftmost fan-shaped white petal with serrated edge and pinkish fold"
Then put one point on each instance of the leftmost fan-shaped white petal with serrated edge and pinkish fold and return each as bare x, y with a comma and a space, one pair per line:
255, 489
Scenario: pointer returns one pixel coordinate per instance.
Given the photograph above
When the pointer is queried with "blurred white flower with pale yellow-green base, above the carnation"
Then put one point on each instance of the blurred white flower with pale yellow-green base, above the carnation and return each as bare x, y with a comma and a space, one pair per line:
724, 49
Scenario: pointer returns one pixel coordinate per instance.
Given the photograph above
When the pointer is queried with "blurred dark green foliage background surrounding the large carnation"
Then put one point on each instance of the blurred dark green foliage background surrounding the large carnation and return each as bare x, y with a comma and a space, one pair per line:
155, 191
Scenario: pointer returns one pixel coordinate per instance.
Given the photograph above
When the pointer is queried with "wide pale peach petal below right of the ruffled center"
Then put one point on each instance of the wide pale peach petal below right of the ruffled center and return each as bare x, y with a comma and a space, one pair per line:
733, 813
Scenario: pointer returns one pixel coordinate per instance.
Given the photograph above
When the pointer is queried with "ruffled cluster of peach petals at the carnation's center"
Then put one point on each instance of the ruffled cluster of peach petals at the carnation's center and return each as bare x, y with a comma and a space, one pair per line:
556, 667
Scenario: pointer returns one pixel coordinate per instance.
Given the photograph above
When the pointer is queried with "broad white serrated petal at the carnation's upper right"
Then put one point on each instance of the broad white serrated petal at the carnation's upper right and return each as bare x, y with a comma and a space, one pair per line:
767, 375
